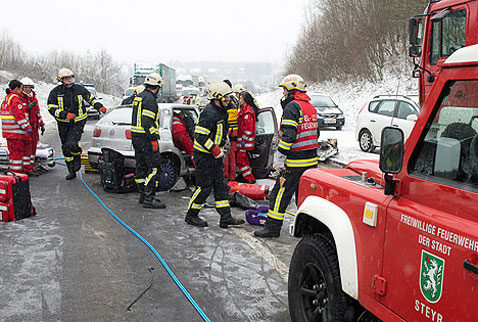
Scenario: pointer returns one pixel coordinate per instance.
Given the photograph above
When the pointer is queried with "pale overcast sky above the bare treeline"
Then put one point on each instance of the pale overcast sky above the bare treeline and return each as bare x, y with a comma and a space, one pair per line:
152, 31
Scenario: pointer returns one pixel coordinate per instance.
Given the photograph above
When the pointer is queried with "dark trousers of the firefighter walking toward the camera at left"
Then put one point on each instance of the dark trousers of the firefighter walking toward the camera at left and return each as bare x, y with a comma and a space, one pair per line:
70, 136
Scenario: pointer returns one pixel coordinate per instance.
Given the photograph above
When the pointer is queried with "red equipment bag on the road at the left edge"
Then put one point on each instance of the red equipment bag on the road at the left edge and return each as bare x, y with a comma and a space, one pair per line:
15, 198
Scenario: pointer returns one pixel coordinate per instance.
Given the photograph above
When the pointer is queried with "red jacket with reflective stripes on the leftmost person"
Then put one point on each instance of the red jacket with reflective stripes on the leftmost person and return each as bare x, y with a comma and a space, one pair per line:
14, 113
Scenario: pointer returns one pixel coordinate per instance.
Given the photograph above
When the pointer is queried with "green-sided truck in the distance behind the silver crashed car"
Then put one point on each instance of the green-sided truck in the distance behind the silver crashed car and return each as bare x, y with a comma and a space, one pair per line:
167, 94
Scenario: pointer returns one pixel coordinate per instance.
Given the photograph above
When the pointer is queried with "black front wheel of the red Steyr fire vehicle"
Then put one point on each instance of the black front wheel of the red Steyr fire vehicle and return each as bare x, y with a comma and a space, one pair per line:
315, 290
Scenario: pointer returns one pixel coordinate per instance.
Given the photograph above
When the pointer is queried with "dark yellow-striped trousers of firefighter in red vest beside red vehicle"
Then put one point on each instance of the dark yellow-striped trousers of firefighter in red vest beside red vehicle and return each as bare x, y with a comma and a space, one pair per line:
281, 195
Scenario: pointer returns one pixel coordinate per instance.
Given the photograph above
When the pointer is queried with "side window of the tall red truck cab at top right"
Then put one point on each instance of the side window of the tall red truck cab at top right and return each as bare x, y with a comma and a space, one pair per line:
453, 32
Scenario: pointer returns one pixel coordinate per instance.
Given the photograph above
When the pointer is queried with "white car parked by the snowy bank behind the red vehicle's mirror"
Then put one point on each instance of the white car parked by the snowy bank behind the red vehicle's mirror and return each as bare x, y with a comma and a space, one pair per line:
385, 110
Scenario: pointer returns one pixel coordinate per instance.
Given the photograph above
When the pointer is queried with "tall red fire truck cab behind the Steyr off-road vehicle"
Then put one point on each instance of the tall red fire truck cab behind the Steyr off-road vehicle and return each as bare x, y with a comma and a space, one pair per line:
446, 26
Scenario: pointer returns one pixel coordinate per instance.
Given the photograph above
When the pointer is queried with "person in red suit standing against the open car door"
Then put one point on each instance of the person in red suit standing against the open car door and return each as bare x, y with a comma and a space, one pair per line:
246, 135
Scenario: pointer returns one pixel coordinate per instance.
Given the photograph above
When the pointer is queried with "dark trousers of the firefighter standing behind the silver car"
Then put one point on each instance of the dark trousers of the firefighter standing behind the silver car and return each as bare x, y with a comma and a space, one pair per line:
147, 162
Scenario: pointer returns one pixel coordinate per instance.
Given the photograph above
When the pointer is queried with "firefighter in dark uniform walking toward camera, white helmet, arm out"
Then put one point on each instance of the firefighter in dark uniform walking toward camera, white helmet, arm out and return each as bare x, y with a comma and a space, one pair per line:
66, 104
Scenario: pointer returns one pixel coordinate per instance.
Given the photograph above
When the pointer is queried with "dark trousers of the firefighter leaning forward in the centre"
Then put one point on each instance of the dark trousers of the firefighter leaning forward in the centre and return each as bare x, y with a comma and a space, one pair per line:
209, 175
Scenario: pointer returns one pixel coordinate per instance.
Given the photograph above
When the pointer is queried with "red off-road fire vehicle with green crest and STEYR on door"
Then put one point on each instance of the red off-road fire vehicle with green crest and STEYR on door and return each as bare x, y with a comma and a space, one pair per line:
397, 240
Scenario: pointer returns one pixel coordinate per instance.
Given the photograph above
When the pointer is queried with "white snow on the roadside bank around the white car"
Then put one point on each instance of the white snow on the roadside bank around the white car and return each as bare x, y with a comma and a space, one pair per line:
350, 98
